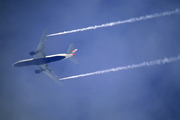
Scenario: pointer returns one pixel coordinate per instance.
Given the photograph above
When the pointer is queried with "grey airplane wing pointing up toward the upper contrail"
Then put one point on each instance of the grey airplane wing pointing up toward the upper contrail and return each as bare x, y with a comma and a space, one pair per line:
40, 51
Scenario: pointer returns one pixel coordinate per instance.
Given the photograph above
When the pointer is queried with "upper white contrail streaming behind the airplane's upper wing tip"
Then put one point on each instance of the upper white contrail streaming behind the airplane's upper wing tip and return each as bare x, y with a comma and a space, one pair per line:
120, 22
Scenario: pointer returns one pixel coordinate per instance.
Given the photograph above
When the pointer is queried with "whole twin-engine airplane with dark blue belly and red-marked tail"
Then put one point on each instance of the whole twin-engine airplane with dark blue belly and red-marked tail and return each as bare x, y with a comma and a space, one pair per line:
41, 60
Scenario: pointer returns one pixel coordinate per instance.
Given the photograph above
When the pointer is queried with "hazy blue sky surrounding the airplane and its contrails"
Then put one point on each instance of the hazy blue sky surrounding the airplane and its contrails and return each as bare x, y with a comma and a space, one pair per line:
143, 93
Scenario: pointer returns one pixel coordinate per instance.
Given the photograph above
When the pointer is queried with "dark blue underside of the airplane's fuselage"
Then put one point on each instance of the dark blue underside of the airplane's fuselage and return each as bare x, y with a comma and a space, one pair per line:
39, 61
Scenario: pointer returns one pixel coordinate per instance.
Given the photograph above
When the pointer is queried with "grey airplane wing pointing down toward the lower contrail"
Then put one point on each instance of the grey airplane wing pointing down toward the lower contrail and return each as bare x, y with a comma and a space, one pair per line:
46, 69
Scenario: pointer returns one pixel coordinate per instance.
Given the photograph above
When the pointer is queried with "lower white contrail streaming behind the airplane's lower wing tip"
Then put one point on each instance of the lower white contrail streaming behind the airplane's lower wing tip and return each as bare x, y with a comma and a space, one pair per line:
155, 62
